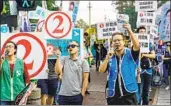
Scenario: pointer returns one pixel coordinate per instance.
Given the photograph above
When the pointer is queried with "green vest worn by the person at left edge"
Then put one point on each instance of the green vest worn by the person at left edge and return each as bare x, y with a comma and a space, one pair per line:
11, 87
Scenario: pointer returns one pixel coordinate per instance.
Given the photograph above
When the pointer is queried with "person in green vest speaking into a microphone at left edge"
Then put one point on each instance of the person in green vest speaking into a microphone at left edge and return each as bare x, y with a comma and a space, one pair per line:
13, 75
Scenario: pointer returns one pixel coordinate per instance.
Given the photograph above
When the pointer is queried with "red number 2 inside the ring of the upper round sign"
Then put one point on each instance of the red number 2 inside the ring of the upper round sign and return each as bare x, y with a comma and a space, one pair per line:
57, 30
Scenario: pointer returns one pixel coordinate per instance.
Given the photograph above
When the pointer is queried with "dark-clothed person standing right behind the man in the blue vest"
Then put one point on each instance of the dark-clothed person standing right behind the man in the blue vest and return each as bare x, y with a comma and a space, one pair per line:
146, 71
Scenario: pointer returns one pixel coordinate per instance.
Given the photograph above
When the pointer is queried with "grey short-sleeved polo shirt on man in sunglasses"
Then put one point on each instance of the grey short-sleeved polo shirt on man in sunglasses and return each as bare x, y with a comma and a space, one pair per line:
72, 75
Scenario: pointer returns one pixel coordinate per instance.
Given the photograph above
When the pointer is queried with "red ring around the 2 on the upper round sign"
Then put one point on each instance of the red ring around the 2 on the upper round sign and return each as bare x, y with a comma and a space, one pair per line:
70, 24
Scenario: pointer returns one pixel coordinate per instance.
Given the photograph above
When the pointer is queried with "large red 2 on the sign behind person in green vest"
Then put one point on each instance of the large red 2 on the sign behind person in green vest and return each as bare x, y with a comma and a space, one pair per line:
28, 48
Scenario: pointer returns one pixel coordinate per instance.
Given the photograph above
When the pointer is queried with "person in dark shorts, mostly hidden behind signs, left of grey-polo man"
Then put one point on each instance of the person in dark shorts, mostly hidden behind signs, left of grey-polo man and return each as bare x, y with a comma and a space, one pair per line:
49, 86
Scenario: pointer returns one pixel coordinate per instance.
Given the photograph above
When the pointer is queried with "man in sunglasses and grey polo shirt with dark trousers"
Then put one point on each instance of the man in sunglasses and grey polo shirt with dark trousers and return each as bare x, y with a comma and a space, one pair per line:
74, 71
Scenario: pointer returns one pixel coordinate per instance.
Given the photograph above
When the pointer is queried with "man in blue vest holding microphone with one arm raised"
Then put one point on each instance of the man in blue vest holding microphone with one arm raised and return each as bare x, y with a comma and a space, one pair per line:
121, 66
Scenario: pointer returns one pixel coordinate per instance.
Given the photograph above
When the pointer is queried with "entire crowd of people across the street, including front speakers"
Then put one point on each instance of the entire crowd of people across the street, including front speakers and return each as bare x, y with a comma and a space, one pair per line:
129, 79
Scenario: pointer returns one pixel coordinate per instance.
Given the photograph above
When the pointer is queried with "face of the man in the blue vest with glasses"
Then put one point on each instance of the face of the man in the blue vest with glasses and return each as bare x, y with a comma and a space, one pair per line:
118, 42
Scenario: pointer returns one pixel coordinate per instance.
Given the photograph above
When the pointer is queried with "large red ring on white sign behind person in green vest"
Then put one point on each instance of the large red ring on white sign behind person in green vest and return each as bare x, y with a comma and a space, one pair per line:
41, 44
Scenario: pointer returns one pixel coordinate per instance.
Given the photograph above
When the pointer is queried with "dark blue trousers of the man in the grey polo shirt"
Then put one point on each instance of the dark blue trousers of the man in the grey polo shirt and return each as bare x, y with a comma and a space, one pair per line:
70, 100
